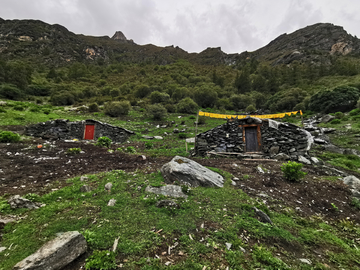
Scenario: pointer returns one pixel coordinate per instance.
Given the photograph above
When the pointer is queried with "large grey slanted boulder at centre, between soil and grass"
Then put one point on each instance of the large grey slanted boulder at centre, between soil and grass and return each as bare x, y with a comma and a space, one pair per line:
191, 173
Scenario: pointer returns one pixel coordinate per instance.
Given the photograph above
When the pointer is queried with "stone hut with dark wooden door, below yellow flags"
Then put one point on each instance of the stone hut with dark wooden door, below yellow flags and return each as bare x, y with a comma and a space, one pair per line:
250, 135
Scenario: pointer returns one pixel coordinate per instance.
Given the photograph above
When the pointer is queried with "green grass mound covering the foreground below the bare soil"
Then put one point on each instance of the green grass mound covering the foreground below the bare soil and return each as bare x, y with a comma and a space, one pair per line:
226, 212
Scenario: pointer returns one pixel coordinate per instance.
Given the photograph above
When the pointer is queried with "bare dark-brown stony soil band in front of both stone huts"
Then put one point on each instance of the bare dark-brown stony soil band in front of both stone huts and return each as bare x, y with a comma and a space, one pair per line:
25, 168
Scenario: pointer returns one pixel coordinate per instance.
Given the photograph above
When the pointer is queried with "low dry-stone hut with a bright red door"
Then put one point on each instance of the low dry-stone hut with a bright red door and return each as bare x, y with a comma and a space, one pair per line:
82, 130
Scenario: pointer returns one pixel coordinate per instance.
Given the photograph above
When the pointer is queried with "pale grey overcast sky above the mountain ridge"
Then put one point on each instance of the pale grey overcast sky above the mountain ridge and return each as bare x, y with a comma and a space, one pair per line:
193, 25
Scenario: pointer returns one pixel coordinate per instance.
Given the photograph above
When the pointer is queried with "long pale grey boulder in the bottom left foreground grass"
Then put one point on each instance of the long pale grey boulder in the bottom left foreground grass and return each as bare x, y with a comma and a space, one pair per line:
56, 253
